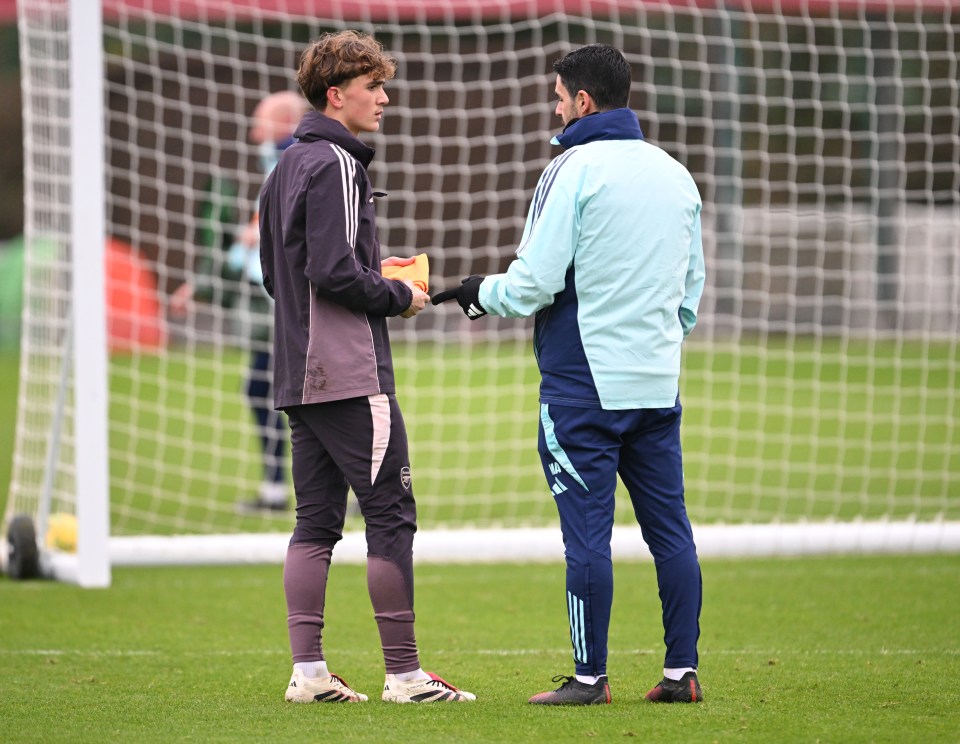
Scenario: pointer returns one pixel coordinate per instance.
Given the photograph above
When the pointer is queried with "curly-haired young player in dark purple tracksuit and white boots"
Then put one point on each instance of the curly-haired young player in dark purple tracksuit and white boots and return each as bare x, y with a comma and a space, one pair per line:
333, 371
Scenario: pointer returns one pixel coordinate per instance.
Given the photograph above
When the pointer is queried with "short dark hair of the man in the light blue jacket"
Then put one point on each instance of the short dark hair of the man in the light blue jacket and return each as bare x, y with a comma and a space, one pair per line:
599, 70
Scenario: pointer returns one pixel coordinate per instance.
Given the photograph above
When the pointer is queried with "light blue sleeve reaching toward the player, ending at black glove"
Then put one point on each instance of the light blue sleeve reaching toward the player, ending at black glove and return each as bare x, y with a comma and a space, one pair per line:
546, 249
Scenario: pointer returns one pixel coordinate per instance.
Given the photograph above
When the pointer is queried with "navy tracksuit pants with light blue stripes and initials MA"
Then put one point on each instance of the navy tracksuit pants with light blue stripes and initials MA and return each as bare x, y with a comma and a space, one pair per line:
582, 451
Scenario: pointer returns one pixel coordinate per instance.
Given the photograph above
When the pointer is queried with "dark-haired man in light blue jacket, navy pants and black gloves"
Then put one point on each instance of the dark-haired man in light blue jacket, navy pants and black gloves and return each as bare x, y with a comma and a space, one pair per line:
611, 262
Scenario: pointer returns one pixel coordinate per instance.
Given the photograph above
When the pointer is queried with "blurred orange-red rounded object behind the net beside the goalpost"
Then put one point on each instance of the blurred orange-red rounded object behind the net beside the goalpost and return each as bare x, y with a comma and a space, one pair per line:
134, 317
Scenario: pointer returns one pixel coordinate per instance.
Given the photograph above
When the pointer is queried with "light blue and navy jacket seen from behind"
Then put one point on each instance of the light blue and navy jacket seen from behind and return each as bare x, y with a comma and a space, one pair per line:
611, 262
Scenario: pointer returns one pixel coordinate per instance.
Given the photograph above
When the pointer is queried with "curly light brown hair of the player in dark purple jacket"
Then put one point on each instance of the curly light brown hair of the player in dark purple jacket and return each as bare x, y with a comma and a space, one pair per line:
337, 57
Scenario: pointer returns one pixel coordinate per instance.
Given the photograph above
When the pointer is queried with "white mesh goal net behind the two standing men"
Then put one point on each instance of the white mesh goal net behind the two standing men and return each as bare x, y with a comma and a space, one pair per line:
821, 388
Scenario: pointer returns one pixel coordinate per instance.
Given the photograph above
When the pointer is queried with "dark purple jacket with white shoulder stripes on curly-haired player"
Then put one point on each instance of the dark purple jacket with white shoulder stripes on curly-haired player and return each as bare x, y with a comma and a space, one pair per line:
320, 254
